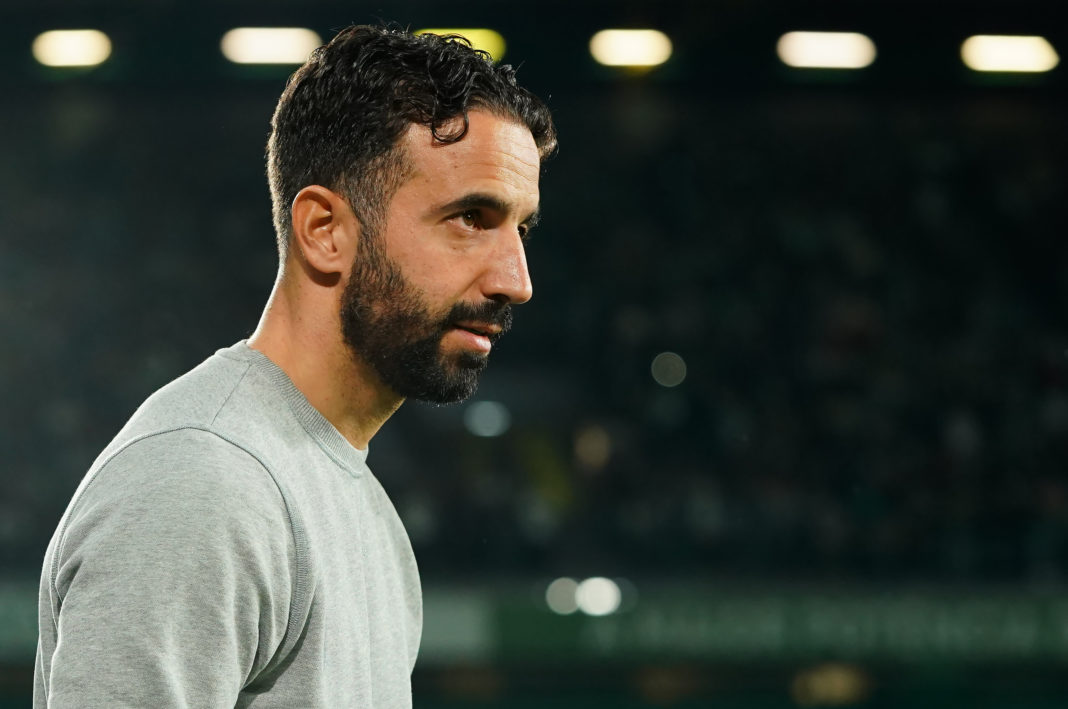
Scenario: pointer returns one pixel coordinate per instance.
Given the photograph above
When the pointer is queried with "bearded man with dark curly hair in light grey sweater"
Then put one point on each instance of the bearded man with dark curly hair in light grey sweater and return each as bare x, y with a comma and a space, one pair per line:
230, 547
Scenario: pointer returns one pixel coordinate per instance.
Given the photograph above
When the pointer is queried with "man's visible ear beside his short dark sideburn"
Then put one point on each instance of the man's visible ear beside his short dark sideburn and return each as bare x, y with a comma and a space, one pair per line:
325, 230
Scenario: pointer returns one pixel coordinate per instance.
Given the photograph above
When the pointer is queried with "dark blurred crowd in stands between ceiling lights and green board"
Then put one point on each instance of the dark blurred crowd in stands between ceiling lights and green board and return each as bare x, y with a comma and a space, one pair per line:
867, 291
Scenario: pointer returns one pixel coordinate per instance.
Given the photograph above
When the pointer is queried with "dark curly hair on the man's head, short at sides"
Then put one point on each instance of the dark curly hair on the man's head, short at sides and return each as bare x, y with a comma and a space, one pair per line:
340, 119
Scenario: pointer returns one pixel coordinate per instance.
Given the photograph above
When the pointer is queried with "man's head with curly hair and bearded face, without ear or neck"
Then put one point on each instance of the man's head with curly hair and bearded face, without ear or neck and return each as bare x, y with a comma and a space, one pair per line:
436, 153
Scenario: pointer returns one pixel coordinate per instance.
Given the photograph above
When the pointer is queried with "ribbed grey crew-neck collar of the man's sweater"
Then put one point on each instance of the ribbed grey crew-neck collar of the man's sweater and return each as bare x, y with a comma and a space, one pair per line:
333, 443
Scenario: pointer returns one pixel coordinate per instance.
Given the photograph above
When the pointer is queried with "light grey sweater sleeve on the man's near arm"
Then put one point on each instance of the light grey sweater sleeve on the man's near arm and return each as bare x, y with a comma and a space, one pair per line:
172, 579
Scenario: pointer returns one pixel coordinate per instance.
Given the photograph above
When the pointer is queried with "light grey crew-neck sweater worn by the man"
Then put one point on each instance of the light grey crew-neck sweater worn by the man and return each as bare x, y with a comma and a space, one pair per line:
229, 549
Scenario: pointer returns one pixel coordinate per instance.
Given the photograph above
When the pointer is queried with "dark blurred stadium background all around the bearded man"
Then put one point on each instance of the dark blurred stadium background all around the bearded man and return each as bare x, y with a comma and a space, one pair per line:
784, 424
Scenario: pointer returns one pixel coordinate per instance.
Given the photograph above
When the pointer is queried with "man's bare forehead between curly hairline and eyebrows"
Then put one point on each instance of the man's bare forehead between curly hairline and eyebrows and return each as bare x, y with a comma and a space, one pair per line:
497, 155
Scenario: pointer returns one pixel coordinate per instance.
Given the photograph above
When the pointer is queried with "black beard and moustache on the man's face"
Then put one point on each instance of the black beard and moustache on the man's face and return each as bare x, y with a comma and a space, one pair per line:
386, 324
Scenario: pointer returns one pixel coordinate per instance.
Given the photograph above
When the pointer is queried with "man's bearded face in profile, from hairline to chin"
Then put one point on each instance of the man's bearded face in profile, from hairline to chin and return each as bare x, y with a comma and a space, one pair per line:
429, 296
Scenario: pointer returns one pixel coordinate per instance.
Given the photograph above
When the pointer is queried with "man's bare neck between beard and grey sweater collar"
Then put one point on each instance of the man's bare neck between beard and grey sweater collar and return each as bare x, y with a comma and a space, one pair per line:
301, 333
